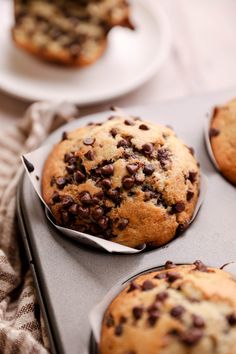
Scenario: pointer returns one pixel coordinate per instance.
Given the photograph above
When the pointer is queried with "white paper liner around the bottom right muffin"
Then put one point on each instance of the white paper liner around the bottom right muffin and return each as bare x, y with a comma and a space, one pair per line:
97, 313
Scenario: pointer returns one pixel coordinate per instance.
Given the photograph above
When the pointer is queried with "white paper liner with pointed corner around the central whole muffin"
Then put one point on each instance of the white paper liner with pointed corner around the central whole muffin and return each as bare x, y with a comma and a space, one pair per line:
37, 159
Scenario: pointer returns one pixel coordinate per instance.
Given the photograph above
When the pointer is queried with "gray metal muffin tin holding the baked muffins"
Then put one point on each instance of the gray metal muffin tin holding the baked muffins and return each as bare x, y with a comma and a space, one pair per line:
71, 279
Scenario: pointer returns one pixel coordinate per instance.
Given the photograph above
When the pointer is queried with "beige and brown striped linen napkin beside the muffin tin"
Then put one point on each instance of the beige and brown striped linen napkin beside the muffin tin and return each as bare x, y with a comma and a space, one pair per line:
21, 326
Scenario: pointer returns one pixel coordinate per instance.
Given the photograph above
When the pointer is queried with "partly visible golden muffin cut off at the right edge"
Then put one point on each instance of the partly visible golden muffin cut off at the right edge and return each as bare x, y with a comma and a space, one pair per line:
223, 139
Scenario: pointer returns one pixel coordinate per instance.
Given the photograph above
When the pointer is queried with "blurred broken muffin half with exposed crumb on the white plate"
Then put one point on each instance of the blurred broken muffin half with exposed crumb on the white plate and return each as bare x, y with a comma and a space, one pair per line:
66, 31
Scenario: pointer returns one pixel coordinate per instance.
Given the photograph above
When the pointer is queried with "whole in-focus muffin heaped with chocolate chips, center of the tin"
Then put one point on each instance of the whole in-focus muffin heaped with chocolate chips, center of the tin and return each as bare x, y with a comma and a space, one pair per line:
124, 180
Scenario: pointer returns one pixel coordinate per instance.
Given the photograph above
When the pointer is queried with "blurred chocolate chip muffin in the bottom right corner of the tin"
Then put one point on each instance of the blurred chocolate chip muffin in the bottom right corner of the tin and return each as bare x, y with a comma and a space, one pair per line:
189, 309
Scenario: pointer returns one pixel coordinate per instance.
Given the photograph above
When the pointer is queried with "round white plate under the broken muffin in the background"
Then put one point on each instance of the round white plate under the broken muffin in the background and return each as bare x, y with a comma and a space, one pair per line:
130, 60
